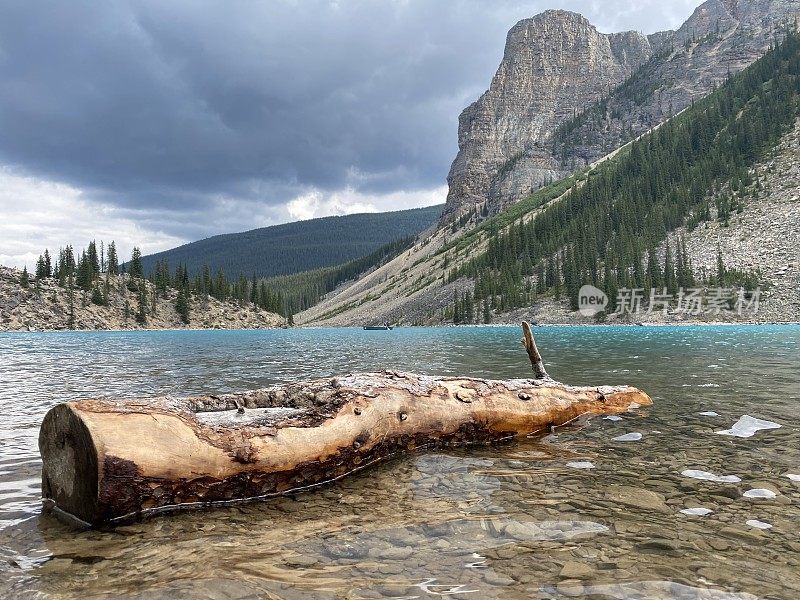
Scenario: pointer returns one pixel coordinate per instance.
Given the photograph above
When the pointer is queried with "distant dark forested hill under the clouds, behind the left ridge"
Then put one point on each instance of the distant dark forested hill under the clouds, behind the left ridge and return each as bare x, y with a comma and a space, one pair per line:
299, 246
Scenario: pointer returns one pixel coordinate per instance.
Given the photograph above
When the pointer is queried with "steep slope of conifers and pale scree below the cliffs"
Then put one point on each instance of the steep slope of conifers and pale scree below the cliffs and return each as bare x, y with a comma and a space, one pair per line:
720, 181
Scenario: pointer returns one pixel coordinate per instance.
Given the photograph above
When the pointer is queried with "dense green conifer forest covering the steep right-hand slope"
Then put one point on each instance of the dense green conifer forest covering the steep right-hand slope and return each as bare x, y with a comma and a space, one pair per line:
609, 229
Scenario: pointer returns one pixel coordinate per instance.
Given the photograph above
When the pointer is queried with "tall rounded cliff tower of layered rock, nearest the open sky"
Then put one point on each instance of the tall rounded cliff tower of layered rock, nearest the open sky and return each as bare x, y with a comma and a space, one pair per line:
554, 65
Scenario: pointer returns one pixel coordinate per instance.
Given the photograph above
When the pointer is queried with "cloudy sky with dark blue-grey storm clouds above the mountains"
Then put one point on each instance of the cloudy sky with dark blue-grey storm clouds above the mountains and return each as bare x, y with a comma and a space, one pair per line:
156, 123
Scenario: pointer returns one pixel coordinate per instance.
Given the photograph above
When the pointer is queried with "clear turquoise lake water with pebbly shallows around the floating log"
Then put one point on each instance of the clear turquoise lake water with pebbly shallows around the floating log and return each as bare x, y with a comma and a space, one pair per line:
572, 514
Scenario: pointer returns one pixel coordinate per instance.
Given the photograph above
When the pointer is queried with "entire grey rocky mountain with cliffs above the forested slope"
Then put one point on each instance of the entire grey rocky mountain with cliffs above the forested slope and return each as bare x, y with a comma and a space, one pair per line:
565, 94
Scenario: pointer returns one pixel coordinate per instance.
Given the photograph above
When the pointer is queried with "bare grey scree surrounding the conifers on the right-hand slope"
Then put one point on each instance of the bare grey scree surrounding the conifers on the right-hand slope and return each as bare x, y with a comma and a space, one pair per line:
765, 237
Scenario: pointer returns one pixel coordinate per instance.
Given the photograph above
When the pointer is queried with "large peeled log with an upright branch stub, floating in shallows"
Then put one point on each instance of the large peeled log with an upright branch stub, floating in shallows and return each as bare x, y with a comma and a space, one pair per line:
108, 461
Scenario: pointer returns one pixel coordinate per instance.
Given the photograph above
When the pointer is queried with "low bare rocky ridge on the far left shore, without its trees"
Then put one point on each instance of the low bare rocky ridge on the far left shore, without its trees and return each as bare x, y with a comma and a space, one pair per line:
46, 307
